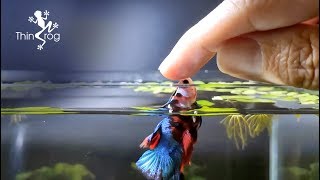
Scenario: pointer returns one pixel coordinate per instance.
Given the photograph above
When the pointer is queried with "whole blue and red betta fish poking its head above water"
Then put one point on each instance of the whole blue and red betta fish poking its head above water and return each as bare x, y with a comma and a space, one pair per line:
171, 144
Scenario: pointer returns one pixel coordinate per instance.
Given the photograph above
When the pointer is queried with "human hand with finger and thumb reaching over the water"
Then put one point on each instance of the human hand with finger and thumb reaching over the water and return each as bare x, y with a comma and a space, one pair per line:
275, 41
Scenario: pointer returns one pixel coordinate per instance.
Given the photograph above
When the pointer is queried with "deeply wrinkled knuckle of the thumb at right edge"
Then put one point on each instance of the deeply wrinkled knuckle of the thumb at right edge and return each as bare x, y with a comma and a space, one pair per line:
296, 60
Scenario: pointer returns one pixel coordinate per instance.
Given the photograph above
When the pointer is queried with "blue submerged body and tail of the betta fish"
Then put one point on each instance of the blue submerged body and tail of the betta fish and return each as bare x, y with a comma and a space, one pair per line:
164, 157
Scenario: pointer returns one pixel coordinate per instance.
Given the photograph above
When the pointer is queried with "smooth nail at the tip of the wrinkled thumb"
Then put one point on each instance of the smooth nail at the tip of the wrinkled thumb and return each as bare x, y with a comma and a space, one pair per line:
241, 57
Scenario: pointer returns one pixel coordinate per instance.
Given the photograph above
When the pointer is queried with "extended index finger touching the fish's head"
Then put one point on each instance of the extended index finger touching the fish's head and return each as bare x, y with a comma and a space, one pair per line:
230, 19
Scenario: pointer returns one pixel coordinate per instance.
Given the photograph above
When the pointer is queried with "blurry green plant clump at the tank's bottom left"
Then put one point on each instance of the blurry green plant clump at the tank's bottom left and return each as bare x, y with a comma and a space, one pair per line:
61, 171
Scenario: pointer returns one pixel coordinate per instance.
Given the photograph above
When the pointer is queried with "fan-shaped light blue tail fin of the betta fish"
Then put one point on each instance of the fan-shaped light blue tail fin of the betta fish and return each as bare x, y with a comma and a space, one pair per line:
156, 165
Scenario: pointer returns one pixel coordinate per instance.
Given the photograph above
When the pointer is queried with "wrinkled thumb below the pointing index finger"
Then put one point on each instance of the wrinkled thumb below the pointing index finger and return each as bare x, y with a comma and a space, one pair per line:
287, 56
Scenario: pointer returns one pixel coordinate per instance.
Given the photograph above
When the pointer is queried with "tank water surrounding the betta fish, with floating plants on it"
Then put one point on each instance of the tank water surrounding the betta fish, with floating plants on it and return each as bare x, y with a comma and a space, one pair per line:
101, 124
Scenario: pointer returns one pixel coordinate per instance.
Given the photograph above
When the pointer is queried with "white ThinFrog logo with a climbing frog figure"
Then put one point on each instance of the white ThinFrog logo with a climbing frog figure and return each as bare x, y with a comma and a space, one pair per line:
46, 30
